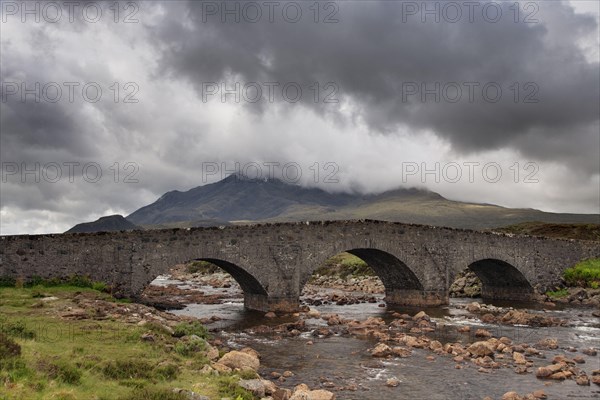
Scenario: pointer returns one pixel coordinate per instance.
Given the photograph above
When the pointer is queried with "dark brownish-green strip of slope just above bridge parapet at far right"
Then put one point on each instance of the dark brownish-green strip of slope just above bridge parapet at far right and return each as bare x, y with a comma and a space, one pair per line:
562, 231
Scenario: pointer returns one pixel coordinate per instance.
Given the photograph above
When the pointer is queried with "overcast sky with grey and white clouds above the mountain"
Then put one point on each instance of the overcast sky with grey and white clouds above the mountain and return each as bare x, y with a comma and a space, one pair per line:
105, 108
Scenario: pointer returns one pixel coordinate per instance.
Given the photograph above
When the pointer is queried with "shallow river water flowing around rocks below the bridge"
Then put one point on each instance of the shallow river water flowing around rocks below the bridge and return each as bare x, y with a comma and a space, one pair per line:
344, 365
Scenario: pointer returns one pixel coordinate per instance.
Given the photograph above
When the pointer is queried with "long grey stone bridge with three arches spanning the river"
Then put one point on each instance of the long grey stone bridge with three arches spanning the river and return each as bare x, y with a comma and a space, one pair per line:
272, 262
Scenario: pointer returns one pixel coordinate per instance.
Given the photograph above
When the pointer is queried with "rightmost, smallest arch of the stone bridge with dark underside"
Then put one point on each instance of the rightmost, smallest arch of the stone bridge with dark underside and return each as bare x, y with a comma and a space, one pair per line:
501, 280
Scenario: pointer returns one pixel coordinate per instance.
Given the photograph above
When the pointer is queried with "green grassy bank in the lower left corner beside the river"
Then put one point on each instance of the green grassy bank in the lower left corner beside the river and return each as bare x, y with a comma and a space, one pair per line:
46, 355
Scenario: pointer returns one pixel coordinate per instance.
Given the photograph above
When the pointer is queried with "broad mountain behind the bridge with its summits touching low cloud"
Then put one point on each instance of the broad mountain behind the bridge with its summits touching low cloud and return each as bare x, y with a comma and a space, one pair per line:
237, 199
